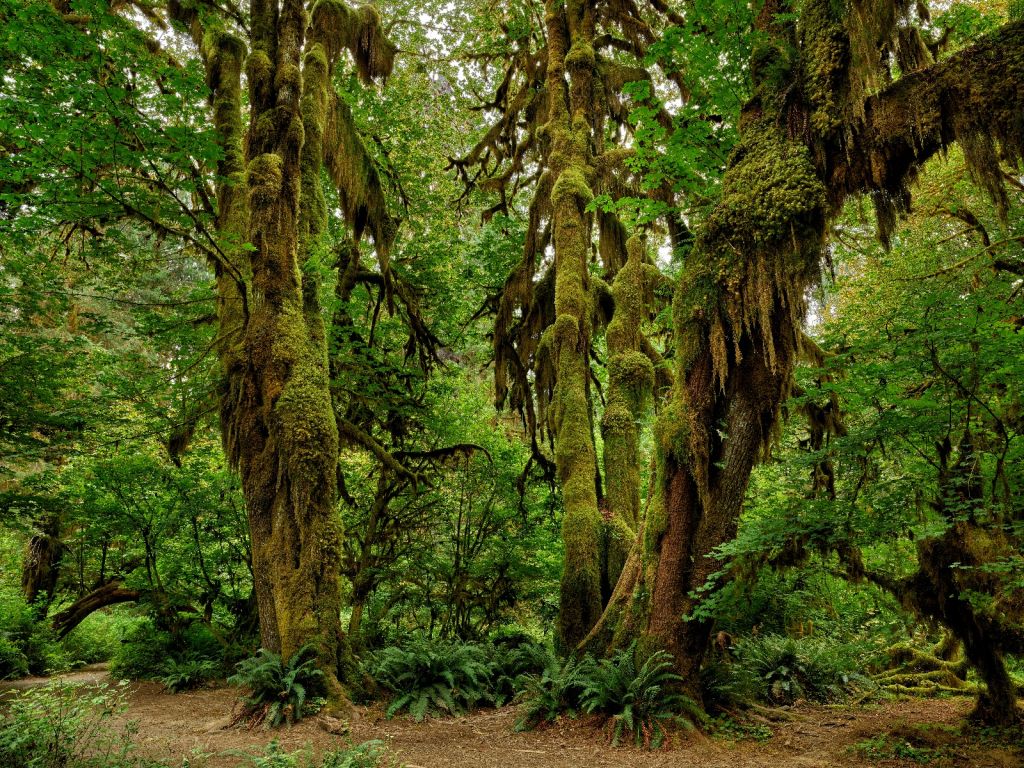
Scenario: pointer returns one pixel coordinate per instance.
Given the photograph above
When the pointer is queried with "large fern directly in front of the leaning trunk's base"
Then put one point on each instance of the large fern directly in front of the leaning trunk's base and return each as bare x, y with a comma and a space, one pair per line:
638, 700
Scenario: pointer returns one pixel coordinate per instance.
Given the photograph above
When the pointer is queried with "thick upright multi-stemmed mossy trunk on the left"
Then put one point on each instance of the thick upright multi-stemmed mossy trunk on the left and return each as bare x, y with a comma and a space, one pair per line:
278, 419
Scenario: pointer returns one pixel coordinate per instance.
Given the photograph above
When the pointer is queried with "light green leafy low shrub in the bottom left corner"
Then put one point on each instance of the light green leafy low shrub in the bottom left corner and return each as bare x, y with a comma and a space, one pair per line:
63, 727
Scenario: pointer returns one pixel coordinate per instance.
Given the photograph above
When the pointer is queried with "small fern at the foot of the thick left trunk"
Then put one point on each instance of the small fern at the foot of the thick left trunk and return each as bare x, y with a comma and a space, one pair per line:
281, 692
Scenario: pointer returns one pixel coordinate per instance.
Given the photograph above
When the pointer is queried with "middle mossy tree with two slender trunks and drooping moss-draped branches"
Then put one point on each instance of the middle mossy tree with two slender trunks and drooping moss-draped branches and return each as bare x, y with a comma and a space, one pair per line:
560, 105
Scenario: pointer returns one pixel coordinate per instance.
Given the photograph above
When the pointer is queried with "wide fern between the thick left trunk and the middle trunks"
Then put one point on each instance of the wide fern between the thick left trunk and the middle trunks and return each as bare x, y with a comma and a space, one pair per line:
432, 678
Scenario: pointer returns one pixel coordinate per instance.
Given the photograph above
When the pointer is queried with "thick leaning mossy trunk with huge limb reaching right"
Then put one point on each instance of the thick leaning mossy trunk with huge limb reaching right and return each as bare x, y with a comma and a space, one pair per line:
808, 140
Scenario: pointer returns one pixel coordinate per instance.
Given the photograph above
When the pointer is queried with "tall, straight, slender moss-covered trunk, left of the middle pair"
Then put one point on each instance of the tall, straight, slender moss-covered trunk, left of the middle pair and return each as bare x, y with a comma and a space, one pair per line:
571, 82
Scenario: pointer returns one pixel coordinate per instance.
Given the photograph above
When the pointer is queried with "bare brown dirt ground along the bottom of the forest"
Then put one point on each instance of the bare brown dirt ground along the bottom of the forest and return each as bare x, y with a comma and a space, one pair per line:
889, 734
